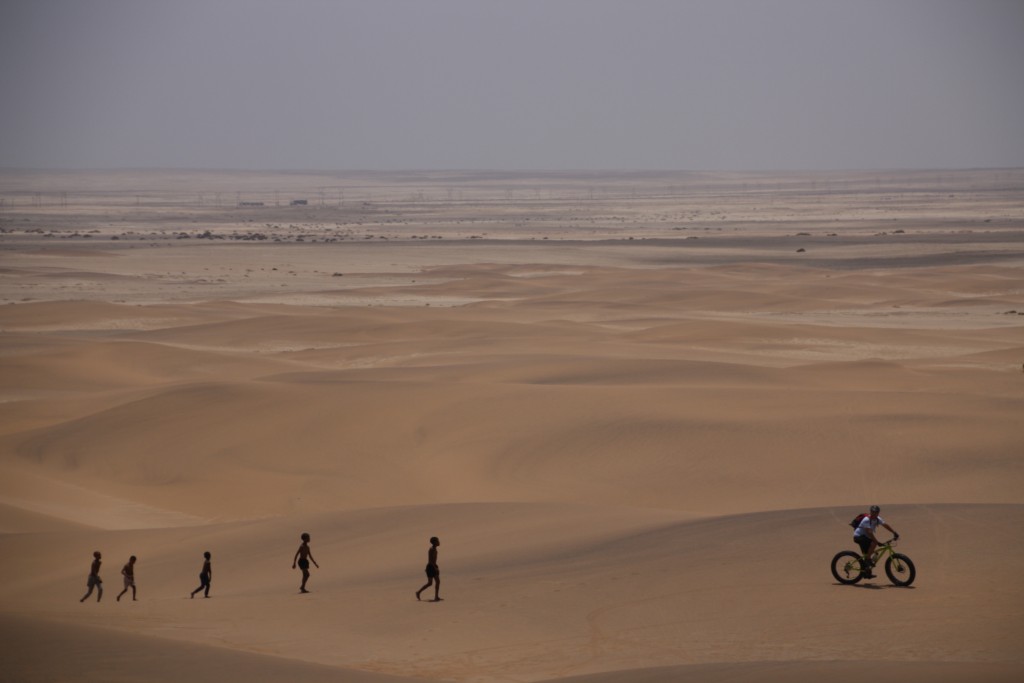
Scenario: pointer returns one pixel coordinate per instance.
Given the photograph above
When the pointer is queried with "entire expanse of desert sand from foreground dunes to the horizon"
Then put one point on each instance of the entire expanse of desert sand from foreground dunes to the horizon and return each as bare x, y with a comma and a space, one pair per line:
638, 410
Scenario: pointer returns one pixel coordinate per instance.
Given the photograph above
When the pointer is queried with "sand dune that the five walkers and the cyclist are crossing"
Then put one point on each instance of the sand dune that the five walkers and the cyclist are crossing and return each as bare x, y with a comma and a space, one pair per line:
541, 591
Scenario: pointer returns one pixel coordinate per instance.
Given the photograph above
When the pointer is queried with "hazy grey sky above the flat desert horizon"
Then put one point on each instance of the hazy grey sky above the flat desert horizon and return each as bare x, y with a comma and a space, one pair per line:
503, 84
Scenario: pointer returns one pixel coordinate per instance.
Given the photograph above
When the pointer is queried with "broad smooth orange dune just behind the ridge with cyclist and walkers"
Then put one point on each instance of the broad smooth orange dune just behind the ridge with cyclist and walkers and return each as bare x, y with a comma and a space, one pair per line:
520, 432
